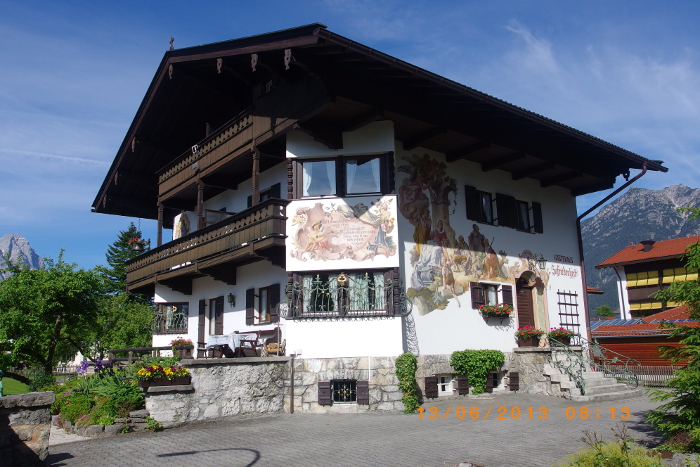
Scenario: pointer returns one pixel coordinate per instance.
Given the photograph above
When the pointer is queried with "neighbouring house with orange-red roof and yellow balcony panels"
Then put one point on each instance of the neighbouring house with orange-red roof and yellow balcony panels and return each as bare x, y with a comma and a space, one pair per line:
646, 268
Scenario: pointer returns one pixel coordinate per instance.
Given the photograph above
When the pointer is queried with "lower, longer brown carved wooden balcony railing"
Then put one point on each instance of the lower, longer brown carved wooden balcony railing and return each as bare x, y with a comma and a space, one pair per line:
261, 221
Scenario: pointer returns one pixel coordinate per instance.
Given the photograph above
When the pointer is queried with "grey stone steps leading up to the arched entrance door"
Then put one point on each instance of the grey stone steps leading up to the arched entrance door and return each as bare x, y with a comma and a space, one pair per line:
598, 386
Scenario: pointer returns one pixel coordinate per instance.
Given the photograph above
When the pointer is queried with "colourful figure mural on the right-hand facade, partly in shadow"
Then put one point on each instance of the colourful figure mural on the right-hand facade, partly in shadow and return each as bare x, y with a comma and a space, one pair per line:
443, 261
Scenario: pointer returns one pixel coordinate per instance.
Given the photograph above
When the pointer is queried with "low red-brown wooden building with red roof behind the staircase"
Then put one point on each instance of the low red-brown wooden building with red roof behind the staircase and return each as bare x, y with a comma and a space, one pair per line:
641, 338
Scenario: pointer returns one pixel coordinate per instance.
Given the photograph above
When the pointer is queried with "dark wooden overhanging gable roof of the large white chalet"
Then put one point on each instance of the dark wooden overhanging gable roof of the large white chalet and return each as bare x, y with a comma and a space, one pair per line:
210, 84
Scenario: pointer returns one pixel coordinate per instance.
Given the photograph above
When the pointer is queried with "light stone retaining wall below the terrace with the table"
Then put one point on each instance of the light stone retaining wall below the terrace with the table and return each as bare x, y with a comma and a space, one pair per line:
222, 388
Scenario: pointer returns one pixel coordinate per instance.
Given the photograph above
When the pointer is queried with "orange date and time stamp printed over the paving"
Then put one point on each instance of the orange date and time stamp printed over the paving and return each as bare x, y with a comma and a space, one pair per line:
504, 413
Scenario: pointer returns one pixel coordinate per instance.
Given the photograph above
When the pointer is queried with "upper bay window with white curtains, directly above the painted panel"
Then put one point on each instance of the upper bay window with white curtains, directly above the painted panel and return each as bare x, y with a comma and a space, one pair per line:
345, 175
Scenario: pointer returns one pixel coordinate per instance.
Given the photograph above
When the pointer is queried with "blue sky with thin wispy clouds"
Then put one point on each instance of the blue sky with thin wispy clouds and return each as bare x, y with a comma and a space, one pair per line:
72, 75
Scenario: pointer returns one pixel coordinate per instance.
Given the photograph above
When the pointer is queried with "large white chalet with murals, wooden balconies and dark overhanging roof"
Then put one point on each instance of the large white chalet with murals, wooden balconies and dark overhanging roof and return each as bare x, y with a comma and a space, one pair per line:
374, 205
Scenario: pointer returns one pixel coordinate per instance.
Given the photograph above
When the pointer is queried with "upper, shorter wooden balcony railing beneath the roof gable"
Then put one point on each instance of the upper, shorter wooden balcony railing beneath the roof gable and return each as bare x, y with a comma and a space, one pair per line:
237, 133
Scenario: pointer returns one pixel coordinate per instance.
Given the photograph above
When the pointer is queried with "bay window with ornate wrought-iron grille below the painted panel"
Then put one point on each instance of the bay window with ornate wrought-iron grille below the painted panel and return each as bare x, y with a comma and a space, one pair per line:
327, 294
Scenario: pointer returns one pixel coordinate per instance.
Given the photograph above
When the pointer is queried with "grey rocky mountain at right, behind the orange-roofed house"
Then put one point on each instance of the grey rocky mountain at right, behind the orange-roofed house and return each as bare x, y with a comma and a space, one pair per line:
637, 215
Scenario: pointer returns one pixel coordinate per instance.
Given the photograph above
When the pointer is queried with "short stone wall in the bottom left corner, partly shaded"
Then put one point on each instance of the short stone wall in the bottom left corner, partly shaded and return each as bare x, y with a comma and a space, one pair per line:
25, 426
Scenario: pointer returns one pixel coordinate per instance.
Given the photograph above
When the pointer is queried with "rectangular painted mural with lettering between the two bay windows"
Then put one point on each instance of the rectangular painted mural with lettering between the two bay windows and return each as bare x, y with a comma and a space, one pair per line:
342, 233
